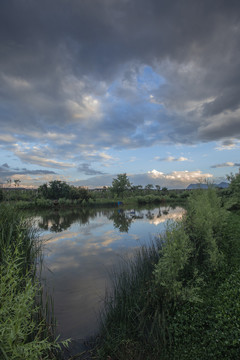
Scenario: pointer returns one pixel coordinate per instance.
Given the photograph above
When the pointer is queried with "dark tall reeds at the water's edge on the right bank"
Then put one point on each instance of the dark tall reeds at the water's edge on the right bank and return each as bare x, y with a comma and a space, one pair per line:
133, 312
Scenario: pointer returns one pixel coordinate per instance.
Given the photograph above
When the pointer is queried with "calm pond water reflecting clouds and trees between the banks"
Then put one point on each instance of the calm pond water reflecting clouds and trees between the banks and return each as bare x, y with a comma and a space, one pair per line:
81, 247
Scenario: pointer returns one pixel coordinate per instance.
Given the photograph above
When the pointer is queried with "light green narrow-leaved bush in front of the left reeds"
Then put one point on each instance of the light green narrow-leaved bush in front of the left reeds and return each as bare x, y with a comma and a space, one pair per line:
22, 336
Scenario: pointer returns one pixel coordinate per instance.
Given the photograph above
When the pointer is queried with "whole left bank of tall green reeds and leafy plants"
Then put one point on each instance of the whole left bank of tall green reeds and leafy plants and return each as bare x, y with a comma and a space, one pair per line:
26, 329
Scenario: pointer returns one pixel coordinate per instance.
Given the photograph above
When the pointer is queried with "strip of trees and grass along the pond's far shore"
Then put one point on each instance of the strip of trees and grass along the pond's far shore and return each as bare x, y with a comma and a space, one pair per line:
58, 193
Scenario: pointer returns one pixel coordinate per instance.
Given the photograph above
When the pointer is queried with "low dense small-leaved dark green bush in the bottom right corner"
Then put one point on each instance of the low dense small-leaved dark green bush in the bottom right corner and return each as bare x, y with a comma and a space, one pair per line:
209, 330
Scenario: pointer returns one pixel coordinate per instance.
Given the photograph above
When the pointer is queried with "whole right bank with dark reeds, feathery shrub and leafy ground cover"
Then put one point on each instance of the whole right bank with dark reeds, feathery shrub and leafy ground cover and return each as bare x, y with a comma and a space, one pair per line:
179, 299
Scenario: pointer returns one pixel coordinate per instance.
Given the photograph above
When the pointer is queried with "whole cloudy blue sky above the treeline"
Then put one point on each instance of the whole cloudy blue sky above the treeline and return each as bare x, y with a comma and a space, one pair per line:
94, 88
